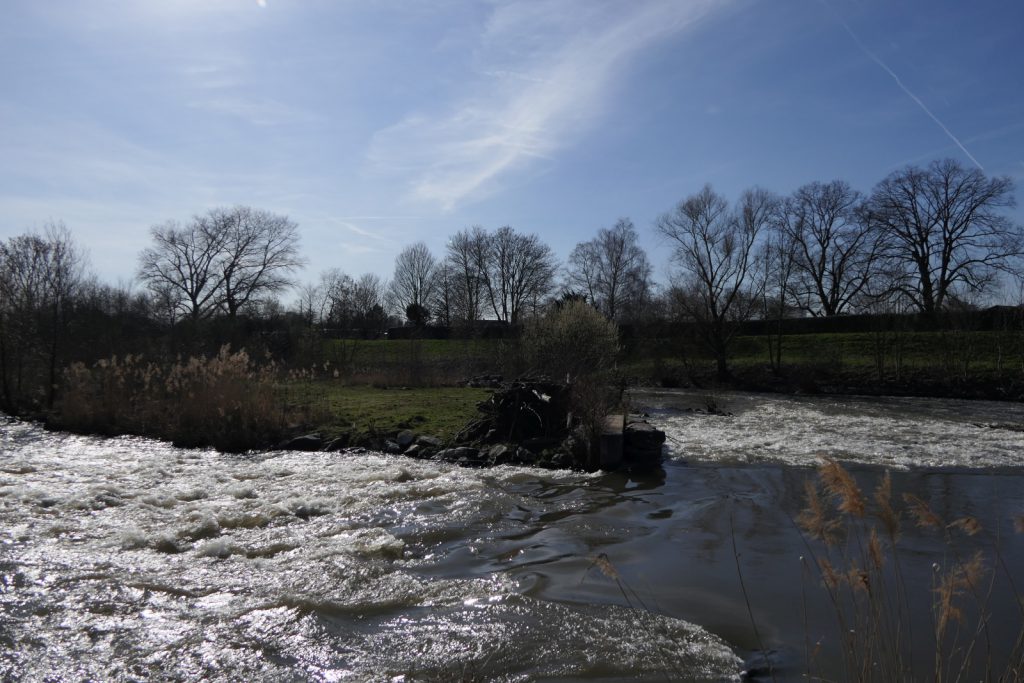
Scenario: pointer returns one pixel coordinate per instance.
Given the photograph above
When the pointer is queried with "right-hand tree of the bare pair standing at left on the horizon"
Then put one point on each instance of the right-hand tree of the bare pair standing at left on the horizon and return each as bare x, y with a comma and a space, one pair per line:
260, 251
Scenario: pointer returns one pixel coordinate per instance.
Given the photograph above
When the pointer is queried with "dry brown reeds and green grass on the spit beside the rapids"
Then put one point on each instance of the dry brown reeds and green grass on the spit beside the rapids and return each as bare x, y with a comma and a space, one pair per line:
233, 404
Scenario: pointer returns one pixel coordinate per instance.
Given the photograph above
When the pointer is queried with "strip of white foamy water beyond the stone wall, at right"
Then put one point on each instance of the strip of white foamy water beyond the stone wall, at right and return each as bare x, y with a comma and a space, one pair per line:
893, 433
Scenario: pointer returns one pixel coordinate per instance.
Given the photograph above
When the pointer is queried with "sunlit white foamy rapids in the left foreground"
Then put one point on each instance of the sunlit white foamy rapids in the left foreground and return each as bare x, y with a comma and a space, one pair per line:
129, 560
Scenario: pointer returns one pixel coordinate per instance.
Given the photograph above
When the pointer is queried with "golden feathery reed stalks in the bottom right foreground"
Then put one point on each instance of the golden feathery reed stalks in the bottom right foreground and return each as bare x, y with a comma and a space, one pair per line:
860, 565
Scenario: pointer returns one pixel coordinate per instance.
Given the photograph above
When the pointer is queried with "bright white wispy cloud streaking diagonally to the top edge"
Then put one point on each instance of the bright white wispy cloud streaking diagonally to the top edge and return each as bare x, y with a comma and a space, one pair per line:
546, 73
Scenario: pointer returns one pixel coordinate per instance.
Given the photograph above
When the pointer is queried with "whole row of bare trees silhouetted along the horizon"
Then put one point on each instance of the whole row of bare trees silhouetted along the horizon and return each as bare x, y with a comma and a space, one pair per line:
925, 239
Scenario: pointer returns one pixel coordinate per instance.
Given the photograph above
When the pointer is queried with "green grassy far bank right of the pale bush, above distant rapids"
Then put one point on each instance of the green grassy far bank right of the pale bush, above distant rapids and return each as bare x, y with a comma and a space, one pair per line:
982, 365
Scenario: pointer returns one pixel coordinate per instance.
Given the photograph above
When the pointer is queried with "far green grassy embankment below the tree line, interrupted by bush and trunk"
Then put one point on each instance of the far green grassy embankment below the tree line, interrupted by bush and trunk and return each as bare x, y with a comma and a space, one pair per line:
943, 363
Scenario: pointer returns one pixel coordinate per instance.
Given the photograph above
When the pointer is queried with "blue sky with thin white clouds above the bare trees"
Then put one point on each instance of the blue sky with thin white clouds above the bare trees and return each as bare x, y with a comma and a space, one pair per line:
374, 124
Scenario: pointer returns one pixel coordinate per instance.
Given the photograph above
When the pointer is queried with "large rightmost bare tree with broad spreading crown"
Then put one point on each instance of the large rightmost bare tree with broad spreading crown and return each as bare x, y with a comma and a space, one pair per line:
945, 231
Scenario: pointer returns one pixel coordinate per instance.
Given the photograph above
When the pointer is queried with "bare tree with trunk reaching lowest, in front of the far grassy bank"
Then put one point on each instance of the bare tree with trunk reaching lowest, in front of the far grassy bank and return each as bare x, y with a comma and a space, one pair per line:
716, 249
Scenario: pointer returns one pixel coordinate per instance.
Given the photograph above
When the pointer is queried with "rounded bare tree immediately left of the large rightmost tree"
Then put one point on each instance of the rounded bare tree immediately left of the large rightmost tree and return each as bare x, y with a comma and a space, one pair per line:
835, 247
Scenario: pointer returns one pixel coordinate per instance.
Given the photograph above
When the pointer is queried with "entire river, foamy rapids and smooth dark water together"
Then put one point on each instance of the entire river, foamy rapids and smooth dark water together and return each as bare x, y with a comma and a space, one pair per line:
129, 560
